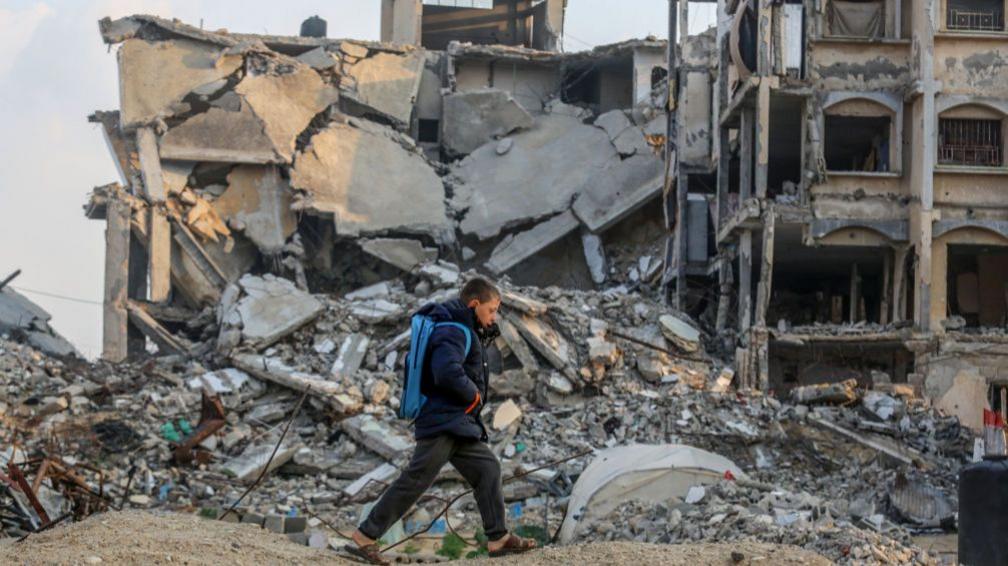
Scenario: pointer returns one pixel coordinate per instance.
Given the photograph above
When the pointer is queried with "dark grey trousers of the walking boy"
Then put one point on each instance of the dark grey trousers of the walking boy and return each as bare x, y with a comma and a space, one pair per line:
475, 463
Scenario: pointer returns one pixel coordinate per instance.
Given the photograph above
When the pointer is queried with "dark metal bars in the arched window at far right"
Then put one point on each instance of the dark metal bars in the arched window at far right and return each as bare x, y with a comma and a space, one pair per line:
970, 143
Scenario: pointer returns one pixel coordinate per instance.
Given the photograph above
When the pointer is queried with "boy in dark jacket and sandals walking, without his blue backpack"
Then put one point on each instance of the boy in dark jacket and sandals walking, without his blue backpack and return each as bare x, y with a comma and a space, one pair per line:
449, 428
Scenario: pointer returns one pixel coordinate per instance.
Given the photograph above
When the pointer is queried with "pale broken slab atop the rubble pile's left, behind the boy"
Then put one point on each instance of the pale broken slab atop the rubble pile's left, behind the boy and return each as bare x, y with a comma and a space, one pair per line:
273, 309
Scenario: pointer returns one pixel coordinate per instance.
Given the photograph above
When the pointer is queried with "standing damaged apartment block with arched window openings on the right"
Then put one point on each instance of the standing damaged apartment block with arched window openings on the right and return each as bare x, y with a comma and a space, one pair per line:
839, 206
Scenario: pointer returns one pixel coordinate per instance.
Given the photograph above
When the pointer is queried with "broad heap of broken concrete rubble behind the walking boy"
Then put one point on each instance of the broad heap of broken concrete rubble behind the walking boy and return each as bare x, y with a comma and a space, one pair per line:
573, 372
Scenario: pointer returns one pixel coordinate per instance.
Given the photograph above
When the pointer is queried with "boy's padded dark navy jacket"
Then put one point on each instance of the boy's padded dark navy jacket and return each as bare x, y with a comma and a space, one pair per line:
451, 379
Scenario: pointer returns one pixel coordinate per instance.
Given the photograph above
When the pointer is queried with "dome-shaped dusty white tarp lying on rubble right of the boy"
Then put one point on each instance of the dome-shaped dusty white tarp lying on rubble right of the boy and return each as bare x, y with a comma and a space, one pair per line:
641, 472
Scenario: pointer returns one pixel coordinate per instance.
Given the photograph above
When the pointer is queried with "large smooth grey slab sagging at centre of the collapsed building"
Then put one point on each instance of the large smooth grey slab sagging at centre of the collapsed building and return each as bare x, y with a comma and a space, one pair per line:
539, 177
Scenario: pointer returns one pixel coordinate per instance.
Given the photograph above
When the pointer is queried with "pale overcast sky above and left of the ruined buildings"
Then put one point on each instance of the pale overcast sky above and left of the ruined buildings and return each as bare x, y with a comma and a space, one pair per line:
55, 71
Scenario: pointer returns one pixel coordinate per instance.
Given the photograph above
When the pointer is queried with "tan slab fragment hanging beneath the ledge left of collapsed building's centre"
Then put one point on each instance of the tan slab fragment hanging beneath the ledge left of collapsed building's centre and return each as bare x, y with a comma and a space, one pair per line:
258, 203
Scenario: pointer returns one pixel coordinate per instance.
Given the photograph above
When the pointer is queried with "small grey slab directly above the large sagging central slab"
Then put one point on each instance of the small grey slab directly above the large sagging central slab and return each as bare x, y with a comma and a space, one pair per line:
475, 118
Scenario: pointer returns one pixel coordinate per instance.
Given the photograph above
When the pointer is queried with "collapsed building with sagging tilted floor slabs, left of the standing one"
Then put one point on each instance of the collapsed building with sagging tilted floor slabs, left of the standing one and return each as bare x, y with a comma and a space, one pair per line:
465, 136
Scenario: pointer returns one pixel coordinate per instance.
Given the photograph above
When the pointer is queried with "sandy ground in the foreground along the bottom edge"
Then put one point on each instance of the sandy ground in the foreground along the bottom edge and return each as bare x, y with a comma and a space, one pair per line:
136, 537
